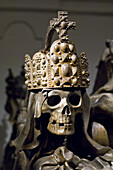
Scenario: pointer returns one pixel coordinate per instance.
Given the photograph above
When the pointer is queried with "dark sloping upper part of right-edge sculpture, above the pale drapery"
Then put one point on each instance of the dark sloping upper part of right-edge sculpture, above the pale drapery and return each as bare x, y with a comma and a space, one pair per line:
105, 65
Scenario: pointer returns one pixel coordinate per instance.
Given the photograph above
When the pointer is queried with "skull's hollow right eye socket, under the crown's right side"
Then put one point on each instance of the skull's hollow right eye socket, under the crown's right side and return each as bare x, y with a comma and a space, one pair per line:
74, 99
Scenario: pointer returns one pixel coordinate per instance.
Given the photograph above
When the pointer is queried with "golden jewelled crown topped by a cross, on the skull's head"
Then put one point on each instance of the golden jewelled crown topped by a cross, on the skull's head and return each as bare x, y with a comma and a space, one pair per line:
58, 65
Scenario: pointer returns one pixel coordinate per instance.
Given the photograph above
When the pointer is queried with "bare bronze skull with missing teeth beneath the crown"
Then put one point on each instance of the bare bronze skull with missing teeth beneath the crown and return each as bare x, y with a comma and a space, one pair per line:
62, 106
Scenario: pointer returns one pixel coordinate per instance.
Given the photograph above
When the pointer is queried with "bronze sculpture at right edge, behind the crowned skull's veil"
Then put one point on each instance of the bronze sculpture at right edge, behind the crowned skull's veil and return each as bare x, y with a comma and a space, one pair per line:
102, 99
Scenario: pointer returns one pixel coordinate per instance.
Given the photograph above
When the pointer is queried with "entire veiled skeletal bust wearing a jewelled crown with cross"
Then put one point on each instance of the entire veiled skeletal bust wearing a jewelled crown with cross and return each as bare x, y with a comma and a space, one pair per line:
57, 109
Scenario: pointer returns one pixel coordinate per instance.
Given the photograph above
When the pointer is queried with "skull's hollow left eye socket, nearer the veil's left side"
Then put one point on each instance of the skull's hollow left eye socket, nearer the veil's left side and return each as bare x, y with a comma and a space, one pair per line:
53, 100
